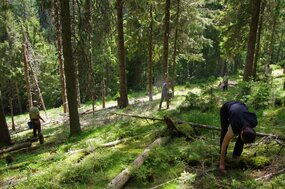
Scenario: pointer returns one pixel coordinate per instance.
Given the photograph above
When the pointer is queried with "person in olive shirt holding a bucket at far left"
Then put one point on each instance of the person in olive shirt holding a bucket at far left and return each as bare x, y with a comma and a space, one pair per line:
35, 119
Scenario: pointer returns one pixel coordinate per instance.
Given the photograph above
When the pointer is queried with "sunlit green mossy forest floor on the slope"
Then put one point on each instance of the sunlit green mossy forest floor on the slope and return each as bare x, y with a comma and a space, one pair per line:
86, 161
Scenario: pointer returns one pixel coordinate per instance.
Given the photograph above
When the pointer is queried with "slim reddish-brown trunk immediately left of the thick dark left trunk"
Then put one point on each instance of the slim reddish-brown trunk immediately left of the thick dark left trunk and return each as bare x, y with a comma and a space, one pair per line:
59, 56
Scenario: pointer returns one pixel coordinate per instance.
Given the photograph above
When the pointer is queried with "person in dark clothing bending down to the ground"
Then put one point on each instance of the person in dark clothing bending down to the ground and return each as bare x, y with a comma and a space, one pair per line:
235, 120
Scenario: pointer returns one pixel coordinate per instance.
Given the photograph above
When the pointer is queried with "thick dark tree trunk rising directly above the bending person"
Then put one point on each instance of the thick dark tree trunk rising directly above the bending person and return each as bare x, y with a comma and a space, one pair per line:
251, 39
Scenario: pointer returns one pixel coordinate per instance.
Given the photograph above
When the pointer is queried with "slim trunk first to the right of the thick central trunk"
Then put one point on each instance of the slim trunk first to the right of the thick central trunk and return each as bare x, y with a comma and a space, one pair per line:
150, 49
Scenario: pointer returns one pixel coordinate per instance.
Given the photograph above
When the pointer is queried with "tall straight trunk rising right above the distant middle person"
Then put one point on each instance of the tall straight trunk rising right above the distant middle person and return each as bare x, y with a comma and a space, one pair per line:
175, 47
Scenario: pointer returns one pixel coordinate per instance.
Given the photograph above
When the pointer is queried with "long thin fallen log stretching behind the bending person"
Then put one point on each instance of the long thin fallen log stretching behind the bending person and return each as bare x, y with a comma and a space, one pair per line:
196, 125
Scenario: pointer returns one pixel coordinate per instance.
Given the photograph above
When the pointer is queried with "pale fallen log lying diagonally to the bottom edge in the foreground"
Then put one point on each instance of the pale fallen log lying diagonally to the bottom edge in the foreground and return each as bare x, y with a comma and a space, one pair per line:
120, 180
